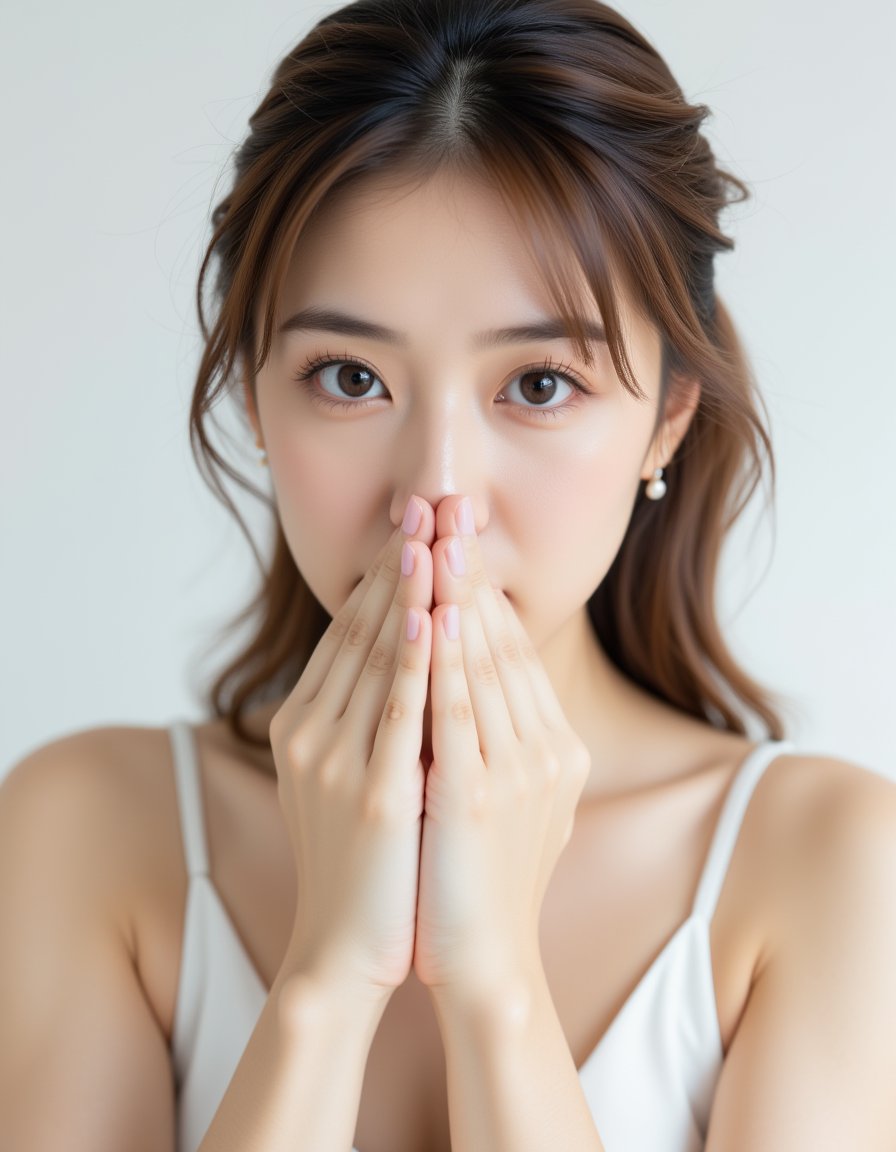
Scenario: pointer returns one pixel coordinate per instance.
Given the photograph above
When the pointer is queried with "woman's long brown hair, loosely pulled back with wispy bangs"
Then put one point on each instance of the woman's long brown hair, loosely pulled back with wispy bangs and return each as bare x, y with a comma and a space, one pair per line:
566, 110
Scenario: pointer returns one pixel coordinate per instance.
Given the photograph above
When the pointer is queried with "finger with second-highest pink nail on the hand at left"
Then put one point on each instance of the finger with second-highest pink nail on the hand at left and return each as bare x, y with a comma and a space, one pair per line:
370, 692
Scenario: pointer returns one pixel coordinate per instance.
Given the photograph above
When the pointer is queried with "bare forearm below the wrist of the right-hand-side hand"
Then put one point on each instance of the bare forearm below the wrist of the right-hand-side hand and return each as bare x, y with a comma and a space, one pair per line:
513, 1086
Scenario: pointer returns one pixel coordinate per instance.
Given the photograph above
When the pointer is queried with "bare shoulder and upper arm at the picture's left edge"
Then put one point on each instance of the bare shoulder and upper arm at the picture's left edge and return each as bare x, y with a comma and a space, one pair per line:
81, 1035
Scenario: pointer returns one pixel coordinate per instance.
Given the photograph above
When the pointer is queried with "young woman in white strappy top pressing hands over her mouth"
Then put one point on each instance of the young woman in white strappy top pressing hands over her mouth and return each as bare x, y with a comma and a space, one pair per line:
475, 851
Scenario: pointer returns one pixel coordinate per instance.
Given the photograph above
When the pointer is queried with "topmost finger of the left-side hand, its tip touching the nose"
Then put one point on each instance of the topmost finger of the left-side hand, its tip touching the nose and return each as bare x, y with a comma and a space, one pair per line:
354, 630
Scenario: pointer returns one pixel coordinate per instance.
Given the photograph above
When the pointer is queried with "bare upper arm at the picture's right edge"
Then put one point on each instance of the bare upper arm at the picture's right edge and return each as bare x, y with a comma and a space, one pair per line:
813, 1064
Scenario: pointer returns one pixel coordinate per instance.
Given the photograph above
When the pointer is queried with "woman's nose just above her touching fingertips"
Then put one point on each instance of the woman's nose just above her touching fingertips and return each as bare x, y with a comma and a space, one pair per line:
442, 452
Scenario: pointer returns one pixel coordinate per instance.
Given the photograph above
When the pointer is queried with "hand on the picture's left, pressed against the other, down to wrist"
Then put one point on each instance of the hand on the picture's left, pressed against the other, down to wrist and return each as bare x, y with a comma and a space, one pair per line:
347, 748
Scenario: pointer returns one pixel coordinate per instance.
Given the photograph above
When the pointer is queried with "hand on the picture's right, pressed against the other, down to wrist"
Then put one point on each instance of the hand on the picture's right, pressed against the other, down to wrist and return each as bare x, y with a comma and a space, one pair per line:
502, 793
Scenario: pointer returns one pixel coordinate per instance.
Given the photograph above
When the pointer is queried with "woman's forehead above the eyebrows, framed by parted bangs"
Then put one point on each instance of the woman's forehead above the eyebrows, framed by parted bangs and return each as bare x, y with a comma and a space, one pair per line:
443, 257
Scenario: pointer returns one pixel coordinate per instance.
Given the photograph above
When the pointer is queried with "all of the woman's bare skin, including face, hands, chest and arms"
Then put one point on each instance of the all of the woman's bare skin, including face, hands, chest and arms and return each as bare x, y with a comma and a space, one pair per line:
412, 996
